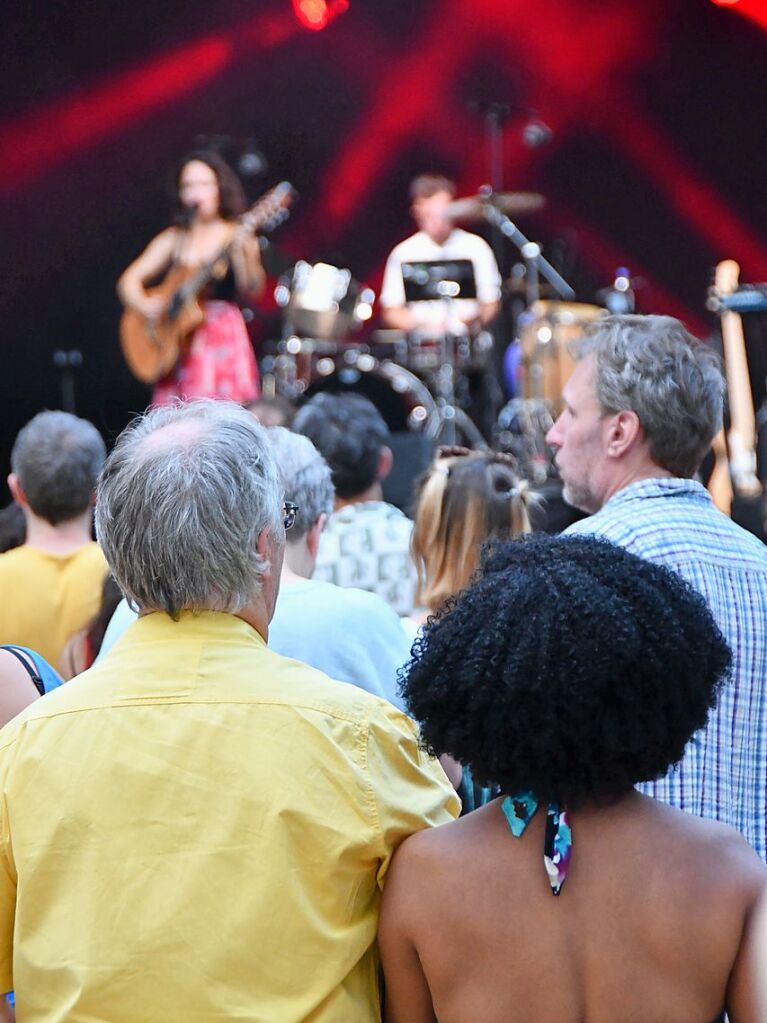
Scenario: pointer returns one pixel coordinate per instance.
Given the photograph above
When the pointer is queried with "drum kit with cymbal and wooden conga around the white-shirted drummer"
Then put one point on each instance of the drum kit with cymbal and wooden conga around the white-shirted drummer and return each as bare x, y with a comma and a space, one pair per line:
419, 380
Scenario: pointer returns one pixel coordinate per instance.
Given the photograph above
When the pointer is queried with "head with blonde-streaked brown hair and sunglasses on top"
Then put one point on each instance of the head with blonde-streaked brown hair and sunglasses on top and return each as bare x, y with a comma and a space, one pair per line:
462, 503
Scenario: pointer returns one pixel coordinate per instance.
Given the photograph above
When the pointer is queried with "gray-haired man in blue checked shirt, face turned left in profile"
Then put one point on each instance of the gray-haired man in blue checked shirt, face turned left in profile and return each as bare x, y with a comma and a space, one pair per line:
641, 412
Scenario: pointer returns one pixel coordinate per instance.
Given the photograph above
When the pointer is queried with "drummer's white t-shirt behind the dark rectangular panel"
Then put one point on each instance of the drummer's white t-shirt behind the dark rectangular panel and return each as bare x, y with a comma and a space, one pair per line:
420, 248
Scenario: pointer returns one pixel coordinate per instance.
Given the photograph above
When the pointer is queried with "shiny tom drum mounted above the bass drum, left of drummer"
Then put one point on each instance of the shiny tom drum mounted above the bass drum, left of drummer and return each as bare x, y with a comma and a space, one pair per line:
323, 301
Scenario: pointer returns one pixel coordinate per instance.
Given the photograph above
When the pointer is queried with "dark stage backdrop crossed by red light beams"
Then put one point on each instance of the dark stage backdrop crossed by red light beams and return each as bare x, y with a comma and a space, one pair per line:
659, 112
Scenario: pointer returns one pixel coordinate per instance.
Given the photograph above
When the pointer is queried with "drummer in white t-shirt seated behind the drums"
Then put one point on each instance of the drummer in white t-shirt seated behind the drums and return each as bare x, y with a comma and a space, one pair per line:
438, 239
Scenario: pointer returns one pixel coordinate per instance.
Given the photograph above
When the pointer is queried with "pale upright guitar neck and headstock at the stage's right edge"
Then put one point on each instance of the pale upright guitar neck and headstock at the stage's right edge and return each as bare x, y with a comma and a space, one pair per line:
742, 436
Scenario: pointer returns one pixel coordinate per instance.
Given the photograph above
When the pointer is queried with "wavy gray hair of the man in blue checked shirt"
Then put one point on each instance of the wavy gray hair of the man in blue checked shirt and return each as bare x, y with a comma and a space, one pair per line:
654, 367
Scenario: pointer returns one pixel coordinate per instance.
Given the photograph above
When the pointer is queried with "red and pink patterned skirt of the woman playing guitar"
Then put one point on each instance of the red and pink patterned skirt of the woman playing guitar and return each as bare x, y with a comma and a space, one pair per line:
220, 363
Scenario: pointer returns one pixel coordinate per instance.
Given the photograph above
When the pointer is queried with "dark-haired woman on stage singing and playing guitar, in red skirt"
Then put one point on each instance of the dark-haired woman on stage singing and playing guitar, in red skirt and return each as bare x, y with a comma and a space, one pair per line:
217, 361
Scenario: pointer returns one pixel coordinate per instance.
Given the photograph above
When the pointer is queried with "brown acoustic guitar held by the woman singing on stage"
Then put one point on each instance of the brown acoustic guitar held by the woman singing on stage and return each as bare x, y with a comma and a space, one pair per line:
153, 347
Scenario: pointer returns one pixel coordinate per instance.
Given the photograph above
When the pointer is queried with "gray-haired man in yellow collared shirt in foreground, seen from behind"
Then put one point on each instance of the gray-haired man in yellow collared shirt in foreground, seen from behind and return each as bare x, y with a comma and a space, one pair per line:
199, 829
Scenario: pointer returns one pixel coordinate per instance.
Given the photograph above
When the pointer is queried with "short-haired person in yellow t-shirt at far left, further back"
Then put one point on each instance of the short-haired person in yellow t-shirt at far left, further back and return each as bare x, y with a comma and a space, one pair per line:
51, 587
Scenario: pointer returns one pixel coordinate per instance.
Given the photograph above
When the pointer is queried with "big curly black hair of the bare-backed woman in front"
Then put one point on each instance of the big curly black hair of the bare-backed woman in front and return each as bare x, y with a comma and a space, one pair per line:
570, 669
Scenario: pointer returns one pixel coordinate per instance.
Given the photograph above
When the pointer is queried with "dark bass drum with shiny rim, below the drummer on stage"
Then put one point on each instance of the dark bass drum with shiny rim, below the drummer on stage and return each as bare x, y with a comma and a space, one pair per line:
402, 399
